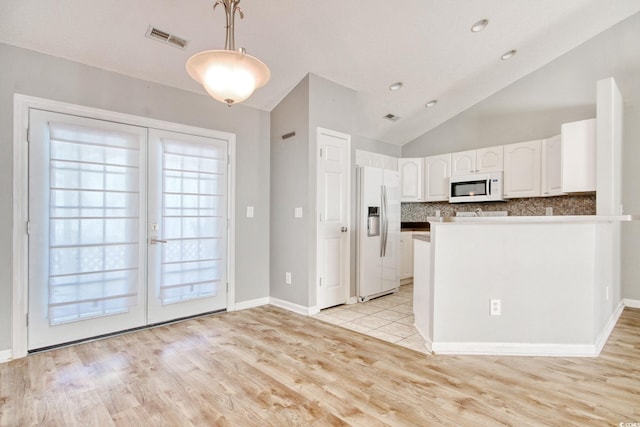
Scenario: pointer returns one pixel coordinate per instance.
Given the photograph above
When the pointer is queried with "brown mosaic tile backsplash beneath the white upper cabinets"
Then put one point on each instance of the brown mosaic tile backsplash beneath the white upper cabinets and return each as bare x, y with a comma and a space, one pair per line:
562, 205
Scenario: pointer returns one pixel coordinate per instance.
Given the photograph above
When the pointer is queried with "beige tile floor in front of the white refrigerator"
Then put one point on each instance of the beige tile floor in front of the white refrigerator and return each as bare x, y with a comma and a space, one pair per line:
389, 318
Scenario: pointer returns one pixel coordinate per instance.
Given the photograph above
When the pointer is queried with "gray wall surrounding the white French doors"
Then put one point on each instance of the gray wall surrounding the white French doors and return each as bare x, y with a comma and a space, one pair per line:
35, 74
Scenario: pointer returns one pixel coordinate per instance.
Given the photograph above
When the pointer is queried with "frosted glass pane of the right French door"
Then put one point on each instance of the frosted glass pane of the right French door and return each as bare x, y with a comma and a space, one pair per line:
193, 216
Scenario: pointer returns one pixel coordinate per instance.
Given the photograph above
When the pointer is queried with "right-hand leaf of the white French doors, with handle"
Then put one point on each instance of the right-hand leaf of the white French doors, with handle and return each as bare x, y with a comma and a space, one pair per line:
187, 225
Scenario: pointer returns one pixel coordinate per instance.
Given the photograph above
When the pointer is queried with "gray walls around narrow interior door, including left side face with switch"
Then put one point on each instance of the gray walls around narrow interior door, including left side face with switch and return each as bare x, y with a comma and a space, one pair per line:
315, 102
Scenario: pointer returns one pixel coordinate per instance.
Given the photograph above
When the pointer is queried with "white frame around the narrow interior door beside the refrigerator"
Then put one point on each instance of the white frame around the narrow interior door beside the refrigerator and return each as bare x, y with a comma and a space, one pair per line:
347, 261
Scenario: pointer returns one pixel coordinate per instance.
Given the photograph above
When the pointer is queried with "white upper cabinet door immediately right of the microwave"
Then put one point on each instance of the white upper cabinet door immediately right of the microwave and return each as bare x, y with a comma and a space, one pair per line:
522, 169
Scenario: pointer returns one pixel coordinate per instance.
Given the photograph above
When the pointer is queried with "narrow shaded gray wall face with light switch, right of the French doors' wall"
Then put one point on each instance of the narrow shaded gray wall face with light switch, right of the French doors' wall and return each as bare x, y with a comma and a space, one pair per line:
290, 189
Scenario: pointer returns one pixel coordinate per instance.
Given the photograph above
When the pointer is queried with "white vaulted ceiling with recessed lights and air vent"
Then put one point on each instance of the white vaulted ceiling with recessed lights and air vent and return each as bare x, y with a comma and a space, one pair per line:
362, 44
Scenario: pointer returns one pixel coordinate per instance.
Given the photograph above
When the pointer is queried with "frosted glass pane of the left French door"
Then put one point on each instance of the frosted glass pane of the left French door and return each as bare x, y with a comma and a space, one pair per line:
93, 222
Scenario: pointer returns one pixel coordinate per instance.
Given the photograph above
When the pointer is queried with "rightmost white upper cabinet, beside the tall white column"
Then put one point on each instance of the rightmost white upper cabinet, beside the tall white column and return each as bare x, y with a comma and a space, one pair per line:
579, 156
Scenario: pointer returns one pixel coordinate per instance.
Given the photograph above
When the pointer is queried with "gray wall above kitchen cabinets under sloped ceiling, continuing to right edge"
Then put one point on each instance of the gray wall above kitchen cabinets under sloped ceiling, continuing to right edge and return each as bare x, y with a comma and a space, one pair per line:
562, 91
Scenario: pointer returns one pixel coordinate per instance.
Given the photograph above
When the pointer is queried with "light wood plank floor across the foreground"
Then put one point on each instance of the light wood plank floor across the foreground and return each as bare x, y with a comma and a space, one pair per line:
269, 367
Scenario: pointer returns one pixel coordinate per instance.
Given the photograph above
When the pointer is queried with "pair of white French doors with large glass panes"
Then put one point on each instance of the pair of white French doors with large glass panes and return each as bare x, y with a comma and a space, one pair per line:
127, 227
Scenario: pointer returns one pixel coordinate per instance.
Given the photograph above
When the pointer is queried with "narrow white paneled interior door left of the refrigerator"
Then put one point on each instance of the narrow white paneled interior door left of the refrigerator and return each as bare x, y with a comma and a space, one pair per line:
333, 207
